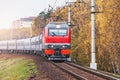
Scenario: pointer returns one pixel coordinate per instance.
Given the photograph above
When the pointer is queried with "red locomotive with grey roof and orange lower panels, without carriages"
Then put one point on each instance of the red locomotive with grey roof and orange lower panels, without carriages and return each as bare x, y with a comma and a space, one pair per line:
56, 42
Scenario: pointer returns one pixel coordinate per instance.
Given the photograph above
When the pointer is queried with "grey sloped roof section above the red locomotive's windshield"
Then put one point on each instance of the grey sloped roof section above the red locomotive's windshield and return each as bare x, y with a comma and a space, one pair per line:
54, 24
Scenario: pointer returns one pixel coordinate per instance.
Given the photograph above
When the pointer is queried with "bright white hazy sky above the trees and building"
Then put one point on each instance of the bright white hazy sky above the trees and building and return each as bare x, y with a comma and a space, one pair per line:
11, 10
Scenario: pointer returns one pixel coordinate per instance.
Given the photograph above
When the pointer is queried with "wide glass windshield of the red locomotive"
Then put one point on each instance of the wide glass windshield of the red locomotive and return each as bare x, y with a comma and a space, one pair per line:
57, 32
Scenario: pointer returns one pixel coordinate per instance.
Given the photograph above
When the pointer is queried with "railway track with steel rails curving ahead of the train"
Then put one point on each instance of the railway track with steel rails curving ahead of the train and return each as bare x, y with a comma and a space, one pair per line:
82, 73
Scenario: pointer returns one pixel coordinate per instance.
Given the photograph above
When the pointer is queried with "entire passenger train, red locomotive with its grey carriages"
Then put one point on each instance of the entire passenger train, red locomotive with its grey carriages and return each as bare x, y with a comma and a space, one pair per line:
53, 42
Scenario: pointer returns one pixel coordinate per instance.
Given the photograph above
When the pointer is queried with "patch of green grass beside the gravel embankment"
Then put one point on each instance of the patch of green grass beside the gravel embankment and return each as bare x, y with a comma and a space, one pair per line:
16, 69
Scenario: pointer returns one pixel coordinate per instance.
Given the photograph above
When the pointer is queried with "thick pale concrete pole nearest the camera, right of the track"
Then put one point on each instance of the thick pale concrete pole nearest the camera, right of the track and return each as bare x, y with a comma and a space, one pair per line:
93, 64
